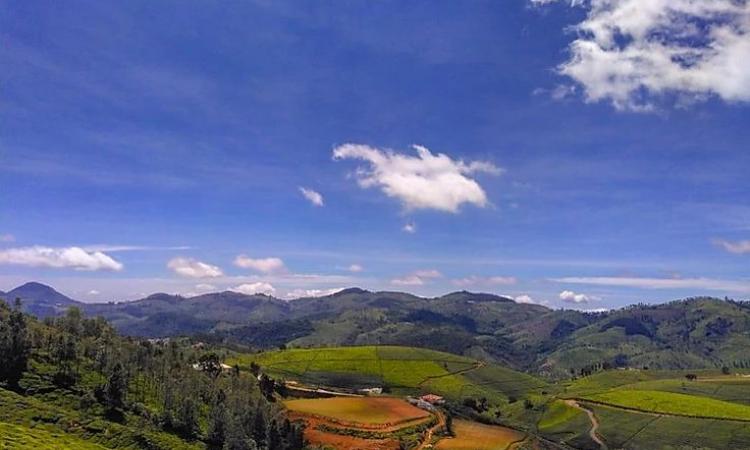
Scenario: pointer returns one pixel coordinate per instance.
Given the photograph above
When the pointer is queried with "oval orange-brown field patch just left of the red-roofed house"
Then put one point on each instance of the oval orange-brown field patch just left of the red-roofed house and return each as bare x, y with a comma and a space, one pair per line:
363, 410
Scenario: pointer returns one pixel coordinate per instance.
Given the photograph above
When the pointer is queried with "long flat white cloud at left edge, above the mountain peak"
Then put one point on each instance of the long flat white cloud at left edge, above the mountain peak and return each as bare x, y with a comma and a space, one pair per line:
65, 257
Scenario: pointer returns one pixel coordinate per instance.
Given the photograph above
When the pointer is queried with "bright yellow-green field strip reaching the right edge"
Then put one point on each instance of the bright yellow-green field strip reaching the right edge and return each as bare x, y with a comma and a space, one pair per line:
672, 403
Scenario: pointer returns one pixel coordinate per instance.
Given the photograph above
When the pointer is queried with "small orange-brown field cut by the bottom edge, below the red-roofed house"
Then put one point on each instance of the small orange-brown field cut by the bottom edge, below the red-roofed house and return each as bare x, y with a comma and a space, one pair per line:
476, 436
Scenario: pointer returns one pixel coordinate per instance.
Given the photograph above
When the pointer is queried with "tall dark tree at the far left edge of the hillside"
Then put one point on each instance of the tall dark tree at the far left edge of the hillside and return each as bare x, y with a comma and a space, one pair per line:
15, 346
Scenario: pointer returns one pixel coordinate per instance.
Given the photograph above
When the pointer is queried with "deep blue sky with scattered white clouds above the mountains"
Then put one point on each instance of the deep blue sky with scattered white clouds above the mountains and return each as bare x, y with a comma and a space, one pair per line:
162, 146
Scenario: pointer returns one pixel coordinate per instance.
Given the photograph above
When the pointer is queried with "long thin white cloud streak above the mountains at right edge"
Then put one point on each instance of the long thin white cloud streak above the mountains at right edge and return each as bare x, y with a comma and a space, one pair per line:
662, 283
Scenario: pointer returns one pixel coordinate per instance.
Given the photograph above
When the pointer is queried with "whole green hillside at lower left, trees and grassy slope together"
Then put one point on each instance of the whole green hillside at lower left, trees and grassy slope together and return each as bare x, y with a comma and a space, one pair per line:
73, 382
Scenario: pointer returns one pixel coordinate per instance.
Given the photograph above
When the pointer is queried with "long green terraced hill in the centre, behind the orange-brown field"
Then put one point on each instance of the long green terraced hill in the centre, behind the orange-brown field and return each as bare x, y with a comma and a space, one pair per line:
402, 370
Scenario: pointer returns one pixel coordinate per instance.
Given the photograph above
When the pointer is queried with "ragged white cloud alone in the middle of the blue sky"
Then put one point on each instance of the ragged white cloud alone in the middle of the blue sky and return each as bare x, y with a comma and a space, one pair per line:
425, 181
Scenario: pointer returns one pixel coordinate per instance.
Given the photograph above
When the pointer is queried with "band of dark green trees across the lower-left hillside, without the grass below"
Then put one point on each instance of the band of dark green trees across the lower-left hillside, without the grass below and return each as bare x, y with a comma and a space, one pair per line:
169, 384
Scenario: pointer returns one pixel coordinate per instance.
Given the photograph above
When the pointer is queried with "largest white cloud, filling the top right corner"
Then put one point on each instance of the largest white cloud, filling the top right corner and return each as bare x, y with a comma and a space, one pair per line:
630, 52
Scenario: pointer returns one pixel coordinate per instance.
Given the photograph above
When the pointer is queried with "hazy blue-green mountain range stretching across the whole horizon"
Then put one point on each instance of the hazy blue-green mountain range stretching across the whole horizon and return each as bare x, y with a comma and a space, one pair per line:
690, 333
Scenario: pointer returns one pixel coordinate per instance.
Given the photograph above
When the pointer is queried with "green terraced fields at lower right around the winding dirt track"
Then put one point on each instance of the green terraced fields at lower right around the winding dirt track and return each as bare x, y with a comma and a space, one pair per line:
659, 409
